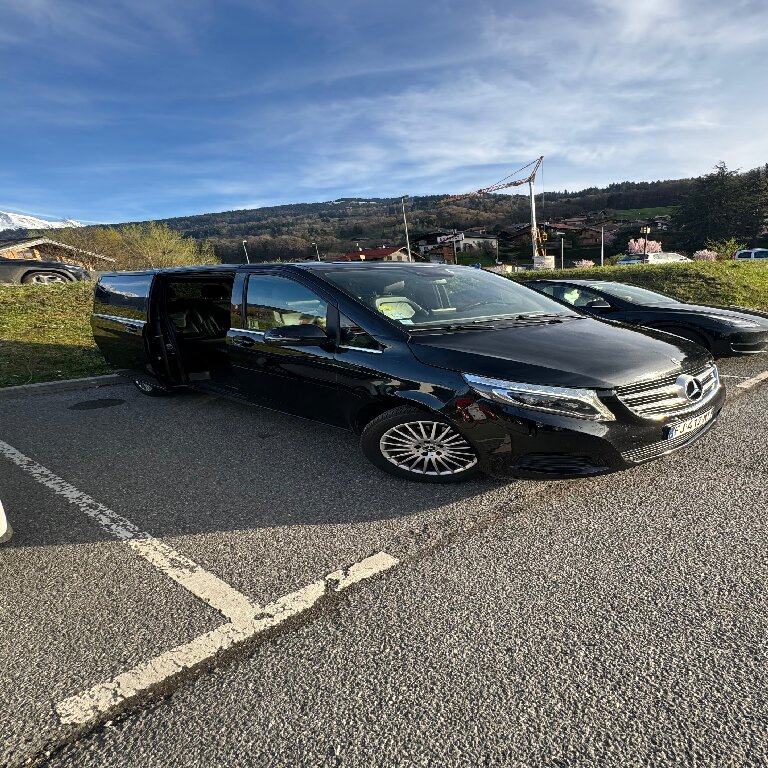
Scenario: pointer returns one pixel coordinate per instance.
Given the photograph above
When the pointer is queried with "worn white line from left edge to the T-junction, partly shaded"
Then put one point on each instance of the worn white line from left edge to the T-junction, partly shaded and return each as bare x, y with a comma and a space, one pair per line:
204, 585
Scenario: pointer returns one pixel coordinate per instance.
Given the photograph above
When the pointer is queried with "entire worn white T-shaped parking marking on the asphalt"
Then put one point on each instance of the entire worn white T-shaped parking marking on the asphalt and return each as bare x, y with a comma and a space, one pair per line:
246, 618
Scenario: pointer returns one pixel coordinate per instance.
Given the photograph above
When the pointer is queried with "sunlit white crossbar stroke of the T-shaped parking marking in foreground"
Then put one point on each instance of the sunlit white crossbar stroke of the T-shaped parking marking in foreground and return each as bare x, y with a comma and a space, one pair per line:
102, 700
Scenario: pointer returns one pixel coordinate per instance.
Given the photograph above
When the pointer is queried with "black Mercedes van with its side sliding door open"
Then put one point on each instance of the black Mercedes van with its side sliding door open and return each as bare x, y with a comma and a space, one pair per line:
443, 371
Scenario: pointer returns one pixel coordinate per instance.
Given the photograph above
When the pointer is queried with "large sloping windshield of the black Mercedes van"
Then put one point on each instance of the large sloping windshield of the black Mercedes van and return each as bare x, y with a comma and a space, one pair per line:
426, 297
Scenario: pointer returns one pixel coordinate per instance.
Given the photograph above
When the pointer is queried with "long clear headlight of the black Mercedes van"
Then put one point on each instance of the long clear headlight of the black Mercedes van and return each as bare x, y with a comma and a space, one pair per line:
582, 403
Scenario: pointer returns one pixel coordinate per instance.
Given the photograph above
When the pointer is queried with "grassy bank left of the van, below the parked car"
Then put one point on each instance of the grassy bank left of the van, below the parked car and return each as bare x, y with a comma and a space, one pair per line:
45, 334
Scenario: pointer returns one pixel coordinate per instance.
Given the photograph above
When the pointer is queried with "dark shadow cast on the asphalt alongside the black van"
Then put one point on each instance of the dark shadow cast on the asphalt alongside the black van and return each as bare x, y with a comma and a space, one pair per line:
197, 463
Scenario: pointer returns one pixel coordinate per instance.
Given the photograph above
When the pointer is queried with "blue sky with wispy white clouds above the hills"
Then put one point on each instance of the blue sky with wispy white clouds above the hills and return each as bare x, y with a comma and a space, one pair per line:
144, 109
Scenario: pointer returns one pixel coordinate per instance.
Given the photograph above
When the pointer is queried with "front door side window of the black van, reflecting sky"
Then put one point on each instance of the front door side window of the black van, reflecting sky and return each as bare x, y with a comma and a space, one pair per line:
273, 302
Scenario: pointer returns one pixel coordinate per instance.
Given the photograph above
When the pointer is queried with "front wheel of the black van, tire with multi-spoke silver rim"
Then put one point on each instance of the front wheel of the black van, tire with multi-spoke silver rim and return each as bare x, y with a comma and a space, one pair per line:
419, 446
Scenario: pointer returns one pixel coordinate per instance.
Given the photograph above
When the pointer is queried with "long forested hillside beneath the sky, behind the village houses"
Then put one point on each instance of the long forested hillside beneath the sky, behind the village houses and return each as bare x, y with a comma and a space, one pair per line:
722, 205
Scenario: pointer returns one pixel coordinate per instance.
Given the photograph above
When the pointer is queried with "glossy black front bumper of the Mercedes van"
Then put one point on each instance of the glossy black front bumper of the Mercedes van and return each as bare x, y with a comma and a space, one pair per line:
515, 443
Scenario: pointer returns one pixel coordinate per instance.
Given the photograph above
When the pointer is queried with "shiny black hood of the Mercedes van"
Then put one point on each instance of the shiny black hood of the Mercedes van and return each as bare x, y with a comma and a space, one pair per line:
583, 353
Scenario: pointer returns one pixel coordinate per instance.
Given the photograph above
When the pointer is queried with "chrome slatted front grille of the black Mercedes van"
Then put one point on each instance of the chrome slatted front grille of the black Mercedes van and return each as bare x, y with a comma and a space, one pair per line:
663, 397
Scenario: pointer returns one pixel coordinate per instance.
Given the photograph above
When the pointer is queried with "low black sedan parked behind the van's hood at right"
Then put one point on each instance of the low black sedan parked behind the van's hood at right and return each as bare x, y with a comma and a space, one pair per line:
721, 330
